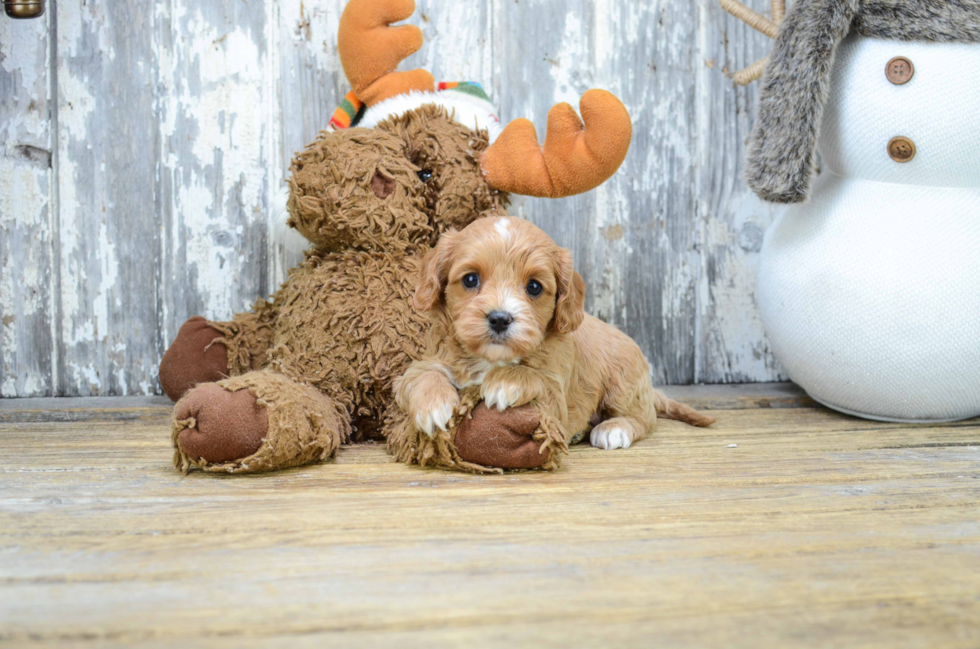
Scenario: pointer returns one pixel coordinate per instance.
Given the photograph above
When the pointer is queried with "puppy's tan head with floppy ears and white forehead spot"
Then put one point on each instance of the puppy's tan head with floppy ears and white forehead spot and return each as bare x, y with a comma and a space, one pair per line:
504, 286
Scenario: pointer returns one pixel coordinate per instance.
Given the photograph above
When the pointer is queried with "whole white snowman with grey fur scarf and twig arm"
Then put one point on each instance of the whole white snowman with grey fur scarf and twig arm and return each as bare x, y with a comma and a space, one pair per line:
869, 283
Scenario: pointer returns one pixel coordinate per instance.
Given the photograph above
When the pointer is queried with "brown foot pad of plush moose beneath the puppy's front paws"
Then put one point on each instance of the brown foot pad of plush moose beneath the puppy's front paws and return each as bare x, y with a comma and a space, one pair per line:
504, 439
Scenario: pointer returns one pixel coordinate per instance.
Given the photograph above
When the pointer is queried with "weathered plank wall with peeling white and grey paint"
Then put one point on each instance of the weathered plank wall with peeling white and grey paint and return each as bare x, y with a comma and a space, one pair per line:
141, 143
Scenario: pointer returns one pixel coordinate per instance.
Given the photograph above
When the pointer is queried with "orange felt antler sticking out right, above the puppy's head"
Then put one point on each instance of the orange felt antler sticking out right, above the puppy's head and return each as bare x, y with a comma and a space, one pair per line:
574, 159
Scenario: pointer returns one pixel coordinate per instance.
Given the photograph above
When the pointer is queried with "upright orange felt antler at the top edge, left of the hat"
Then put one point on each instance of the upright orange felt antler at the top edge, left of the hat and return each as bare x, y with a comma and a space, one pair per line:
370, 49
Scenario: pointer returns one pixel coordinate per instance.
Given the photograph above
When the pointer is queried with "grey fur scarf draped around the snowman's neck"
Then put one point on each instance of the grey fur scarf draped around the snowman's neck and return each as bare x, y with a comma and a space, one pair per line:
795, 82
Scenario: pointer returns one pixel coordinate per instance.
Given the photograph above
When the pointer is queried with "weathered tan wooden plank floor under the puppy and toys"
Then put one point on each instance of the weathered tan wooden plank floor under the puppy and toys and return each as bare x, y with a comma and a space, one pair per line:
784, 525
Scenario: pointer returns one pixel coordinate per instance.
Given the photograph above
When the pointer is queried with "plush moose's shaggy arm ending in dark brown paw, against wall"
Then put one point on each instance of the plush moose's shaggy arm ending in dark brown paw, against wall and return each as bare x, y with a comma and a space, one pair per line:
207, 351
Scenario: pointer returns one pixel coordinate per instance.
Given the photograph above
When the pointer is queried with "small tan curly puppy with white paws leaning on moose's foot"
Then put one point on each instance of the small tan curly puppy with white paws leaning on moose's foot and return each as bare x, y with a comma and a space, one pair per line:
507, 314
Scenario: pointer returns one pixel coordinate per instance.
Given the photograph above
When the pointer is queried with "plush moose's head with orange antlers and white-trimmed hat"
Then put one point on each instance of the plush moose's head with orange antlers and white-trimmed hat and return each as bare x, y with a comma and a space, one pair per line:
427, 164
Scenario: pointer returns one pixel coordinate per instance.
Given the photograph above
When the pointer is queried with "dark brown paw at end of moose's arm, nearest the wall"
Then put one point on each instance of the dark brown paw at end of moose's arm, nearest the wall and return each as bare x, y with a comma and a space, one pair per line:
193, 358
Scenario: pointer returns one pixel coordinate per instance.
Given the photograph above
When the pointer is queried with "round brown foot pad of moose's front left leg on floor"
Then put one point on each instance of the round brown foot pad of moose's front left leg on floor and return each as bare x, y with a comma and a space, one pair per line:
217, 425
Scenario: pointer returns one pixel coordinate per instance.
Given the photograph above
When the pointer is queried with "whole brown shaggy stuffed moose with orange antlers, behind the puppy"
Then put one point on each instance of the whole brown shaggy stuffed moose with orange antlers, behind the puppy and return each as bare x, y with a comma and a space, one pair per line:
312, 367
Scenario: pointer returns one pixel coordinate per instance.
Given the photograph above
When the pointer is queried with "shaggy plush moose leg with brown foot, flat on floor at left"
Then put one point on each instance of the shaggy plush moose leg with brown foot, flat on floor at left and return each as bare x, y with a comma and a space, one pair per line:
259, 421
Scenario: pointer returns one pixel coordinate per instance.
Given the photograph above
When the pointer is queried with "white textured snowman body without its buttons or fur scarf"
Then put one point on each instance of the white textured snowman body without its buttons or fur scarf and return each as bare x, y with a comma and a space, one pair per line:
870, 291
